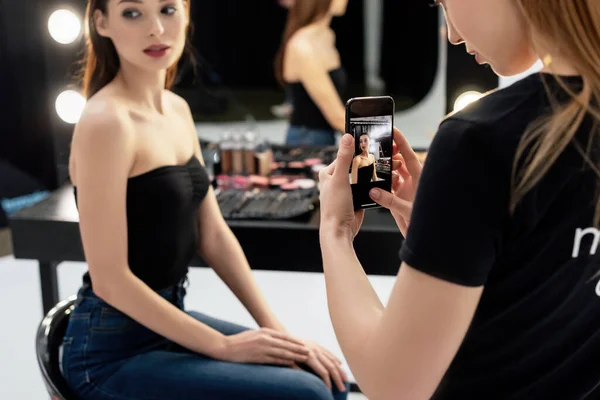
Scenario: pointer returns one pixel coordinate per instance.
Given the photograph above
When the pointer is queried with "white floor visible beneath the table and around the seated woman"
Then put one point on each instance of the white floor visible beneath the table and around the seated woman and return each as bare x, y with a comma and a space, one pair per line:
297, 298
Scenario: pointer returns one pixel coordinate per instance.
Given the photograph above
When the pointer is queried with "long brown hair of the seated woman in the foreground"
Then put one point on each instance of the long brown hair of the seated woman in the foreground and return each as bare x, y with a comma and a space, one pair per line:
101, 61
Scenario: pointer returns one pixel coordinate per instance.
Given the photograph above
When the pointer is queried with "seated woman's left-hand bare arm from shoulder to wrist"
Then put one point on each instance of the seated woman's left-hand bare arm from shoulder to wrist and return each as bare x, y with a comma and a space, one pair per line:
103, 153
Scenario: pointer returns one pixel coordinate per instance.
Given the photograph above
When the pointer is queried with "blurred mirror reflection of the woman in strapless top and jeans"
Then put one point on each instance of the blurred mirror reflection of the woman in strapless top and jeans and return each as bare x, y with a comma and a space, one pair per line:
308, 65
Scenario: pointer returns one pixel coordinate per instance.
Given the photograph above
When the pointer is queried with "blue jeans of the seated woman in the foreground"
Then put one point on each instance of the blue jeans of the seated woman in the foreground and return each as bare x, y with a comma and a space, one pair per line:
109, 356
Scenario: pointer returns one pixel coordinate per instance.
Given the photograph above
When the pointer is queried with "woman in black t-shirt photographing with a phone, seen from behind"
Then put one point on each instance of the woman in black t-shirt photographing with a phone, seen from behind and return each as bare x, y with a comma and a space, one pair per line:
497, 295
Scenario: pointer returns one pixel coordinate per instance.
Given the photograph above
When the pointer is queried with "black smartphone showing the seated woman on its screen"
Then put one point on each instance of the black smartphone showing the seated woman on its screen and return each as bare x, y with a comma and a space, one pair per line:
371, 121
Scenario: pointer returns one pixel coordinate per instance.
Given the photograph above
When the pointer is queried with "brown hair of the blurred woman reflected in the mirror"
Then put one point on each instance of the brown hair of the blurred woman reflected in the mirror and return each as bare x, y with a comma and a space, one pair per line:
302, 13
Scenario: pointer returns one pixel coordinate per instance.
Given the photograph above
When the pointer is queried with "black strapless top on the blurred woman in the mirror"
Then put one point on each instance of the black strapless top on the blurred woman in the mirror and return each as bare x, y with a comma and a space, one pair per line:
306, 113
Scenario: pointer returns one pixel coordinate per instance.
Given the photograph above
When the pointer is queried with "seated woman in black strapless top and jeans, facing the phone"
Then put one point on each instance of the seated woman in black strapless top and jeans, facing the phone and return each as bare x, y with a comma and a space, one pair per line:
146, 207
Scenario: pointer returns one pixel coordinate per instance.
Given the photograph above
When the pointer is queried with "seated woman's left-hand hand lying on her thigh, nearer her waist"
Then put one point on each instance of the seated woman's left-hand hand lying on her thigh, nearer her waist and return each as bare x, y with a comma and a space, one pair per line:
264, 346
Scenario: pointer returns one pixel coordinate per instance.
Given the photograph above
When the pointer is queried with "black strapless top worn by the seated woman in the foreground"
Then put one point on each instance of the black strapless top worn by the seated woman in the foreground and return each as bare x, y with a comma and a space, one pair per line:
162, 222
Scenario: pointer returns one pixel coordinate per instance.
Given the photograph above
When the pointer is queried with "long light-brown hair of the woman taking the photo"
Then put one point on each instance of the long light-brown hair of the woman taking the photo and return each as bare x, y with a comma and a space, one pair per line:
573, 26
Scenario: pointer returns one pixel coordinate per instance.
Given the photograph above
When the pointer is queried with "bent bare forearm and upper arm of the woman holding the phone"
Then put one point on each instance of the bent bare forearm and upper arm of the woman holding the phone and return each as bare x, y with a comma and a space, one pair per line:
400, 351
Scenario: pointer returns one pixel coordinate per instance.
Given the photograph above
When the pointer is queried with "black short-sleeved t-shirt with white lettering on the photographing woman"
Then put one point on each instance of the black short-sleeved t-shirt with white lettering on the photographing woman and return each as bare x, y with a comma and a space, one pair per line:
536, 331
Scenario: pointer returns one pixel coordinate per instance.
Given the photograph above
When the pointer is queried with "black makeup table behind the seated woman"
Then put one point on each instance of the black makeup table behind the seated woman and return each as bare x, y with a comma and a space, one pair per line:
49, 233
